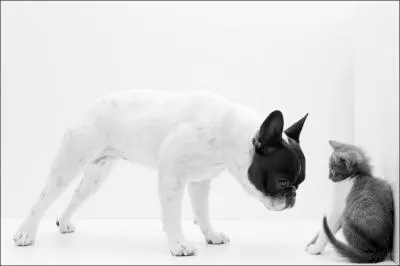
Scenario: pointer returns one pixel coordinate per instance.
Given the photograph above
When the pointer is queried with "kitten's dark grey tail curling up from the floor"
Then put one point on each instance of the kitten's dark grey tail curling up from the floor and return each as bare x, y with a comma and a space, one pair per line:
353, 254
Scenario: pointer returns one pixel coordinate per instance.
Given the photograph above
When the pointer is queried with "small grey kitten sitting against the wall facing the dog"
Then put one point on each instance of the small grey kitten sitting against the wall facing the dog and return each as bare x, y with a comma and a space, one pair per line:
368, 217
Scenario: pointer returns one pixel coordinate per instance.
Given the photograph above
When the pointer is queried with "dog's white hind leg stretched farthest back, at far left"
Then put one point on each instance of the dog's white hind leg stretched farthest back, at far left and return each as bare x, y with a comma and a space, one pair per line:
77, 147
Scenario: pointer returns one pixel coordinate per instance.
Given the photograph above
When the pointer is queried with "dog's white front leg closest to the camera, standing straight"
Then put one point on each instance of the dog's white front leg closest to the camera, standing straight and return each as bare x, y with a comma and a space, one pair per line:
171, 192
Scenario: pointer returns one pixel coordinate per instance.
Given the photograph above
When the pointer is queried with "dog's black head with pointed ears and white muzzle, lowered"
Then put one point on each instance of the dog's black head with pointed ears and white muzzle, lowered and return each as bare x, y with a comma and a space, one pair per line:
278, 164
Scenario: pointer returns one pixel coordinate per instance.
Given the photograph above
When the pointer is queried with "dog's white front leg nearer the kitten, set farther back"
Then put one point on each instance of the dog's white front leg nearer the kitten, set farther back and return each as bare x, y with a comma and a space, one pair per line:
199, 192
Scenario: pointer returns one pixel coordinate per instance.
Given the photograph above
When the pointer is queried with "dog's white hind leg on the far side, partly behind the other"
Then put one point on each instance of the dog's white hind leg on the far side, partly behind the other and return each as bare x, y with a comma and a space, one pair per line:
94, 175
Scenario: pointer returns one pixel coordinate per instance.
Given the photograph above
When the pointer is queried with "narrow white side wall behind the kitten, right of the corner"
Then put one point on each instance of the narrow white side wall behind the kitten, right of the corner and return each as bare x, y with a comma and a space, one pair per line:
377, 91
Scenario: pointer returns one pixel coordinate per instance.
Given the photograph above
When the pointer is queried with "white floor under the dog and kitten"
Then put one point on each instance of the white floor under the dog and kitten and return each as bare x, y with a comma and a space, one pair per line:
142, 242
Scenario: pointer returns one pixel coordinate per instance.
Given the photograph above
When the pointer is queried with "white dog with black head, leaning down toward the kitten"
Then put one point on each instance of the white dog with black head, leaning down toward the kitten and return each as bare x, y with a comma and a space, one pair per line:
189, 138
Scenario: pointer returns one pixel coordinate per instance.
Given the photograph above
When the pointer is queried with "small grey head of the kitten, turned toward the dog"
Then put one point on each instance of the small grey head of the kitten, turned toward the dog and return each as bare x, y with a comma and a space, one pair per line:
347, 161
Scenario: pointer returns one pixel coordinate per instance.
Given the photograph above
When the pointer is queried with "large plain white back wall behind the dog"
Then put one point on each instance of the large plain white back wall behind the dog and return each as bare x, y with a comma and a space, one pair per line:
58, 56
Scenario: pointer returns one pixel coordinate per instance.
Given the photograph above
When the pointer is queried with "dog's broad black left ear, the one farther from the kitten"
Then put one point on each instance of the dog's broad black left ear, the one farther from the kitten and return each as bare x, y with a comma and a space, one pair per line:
271, 129
